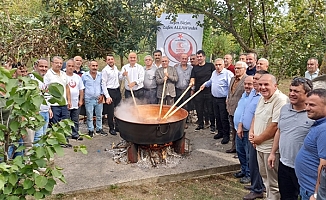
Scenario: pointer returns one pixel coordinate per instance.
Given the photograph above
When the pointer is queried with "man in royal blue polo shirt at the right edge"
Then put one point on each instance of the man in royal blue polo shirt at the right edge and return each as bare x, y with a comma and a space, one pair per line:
312, 155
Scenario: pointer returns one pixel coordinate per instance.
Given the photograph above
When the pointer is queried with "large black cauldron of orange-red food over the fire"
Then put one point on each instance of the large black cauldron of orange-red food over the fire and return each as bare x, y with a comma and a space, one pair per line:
140, 126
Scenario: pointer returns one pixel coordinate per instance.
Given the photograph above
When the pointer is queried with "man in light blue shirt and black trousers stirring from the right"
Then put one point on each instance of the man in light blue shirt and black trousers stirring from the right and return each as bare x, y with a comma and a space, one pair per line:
220, 83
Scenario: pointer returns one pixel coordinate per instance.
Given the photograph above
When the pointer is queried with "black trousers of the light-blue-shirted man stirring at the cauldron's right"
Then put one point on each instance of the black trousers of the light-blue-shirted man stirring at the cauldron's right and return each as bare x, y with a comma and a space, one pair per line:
221, 116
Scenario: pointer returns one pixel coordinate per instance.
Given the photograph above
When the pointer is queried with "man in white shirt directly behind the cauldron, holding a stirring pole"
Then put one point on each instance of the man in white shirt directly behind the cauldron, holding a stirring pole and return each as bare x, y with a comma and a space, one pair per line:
135, 73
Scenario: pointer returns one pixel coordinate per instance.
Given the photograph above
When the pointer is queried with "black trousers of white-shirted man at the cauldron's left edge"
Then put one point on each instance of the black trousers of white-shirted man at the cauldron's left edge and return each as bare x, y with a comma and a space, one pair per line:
115, 94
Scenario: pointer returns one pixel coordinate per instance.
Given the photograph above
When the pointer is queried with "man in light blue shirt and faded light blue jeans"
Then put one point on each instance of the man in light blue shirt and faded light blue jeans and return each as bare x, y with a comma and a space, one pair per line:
93, 98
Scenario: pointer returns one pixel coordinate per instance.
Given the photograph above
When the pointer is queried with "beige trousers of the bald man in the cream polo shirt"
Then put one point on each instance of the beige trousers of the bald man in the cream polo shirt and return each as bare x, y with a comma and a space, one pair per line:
269, 175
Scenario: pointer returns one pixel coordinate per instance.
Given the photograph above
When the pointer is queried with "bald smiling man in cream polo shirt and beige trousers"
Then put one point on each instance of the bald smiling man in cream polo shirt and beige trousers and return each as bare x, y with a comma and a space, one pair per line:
263, 129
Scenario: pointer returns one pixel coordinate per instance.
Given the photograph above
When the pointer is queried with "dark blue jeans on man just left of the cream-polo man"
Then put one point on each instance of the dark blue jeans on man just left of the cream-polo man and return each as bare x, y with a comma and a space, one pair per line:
243, 153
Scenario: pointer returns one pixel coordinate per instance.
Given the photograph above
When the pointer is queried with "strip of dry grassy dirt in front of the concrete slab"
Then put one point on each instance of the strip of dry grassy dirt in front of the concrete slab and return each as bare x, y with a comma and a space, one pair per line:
215, 187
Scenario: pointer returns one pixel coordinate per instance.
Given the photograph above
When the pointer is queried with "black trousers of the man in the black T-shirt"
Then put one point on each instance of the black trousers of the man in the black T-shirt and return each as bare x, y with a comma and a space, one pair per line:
200, 101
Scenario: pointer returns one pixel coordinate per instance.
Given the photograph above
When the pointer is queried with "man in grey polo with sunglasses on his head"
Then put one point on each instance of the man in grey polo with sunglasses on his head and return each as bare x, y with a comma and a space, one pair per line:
289, 138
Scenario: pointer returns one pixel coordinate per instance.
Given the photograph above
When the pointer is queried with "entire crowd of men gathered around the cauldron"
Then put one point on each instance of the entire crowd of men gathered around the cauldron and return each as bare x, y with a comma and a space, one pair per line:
278, 139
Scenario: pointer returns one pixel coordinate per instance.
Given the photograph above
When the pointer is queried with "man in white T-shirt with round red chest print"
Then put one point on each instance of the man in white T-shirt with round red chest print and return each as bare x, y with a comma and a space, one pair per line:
76, 95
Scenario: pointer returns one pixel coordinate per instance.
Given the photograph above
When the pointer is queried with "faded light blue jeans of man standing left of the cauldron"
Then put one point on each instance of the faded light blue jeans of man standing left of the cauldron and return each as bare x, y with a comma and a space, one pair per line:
90, 105
